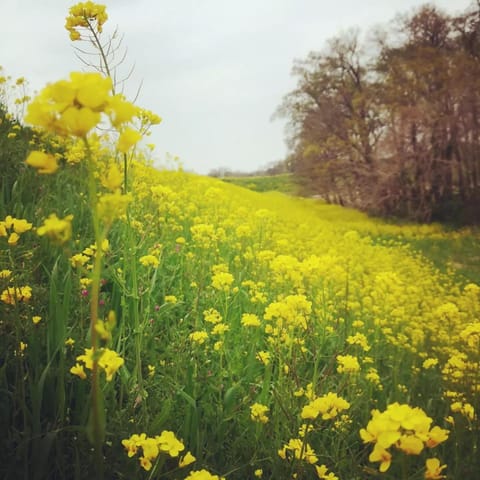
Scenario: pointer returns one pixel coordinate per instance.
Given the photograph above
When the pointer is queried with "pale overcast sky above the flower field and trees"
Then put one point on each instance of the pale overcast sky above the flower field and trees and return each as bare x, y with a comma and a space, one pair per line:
214, 70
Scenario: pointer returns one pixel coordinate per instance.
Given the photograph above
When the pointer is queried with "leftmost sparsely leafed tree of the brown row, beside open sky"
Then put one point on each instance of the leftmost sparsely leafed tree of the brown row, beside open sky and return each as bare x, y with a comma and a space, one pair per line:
334, 122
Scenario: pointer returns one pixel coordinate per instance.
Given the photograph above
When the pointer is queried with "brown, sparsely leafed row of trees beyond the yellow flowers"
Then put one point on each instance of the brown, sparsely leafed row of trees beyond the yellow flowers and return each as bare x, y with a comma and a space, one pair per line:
391, 124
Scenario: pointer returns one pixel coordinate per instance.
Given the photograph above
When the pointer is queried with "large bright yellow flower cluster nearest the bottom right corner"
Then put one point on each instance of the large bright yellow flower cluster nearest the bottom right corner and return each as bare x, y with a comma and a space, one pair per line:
401, 427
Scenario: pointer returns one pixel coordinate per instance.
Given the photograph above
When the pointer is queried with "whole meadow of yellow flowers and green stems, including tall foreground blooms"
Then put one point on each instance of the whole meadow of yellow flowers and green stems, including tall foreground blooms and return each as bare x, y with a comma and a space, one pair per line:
158, 324
